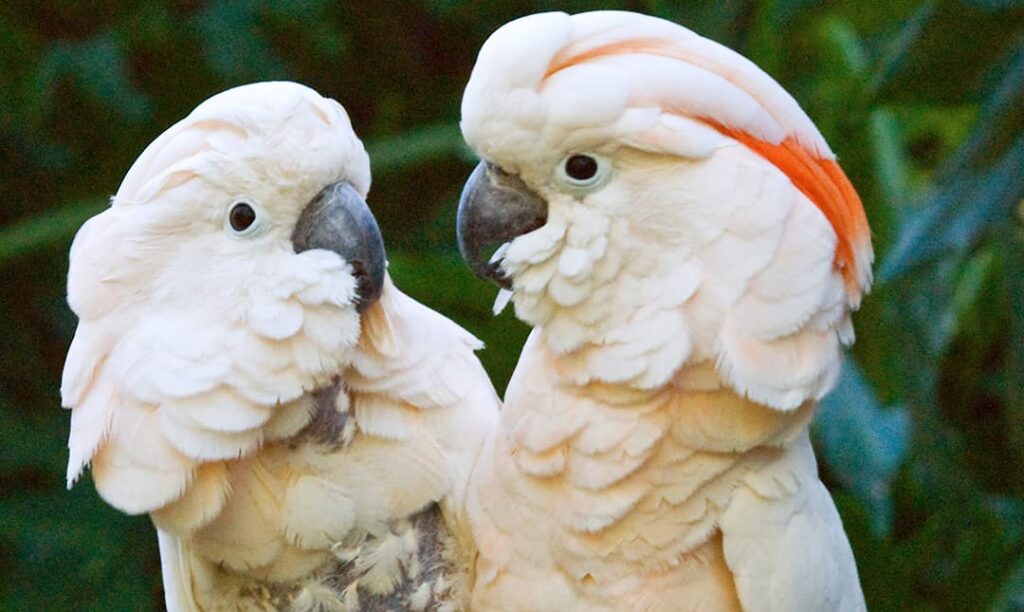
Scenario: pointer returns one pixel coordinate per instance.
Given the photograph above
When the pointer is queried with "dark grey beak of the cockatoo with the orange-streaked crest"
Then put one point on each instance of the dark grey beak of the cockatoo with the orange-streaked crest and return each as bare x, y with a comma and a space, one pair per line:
495, 208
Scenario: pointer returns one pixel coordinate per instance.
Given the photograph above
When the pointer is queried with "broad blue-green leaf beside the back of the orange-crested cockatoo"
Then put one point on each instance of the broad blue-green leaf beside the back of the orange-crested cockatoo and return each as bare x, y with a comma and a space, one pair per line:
864, 443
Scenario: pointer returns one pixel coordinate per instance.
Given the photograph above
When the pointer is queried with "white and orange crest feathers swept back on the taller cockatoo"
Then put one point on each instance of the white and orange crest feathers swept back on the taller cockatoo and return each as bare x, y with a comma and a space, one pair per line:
642, 62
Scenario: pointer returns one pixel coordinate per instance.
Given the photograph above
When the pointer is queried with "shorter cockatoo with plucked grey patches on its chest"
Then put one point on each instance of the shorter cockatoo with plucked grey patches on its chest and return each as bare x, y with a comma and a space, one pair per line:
301, 432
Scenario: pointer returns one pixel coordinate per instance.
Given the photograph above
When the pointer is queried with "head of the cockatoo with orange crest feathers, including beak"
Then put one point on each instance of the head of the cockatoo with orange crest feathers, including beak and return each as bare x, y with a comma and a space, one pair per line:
637, 181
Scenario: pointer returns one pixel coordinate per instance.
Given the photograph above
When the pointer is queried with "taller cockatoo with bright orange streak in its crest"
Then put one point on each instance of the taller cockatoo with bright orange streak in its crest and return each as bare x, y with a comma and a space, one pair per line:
689, 253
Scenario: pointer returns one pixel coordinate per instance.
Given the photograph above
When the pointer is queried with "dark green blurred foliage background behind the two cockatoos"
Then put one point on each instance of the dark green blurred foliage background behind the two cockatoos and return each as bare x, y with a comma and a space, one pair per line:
923, 443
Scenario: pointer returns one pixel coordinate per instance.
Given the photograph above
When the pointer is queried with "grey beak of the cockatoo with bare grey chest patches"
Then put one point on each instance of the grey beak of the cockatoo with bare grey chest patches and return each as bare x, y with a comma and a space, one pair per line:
339, 221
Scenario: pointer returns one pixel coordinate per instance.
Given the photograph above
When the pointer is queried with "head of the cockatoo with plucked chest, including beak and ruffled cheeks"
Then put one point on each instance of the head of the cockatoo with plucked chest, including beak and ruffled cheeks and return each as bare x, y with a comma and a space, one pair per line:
225, 282
